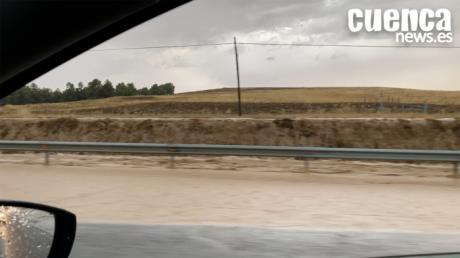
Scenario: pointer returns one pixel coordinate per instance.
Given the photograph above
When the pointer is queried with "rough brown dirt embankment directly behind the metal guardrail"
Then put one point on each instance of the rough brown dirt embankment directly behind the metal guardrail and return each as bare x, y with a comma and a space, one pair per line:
353, 133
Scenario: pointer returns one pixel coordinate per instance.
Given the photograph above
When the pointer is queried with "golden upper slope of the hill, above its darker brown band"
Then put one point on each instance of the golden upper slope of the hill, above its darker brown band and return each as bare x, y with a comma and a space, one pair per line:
321, 95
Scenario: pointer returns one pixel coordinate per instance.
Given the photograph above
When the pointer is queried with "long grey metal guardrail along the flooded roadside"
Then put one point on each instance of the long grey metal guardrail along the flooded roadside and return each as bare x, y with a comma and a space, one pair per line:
236, 150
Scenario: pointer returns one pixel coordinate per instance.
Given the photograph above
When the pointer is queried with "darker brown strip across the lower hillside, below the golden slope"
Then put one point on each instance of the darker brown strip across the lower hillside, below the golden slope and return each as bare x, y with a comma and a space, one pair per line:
212, 108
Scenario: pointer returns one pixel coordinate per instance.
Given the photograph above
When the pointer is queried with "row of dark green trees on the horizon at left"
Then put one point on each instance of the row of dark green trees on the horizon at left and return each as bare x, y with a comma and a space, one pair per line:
95, 89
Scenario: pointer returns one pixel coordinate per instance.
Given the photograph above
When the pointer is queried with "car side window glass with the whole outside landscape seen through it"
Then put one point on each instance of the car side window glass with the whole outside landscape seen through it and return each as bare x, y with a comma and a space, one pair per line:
251, 129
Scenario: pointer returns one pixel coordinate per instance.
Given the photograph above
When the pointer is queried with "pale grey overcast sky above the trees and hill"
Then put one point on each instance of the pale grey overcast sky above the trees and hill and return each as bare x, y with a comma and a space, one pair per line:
267, 21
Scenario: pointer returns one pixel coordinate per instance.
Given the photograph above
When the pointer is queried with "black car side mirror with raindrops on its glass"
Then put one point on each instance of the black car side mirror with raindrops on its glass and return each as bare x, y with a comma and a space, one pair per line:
35, 230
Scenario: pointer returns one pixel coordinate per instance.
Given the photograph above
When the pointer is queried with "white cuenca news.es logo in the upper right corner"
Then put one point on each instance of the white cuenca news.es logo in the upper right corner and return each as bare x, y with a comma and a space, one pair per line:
409, 25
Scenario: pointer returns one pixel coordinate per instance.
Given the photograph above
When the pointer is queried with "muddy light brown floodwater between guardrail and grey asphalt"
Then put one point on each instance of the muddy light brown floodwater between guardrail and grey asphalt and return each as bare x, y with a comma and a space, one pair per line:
240, 191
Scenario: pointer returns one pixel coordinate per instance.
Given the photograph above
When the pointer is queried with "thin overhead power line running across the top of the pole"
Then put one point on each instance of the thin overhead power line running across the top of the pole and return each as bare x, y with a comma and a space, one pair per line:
276, 44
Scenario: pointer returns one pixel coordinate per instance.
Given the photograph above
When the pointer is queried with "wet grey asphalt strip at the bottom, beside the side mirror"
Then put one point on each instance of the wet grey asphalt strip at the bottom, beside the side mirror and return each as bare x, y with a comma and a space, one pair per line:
135, 241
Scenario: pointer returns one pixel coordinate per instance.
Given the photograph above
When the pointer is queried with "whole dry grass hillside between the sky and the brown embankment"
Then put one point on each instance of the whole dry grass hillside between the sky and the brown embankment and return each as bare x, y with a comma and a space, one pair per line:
309, 102
